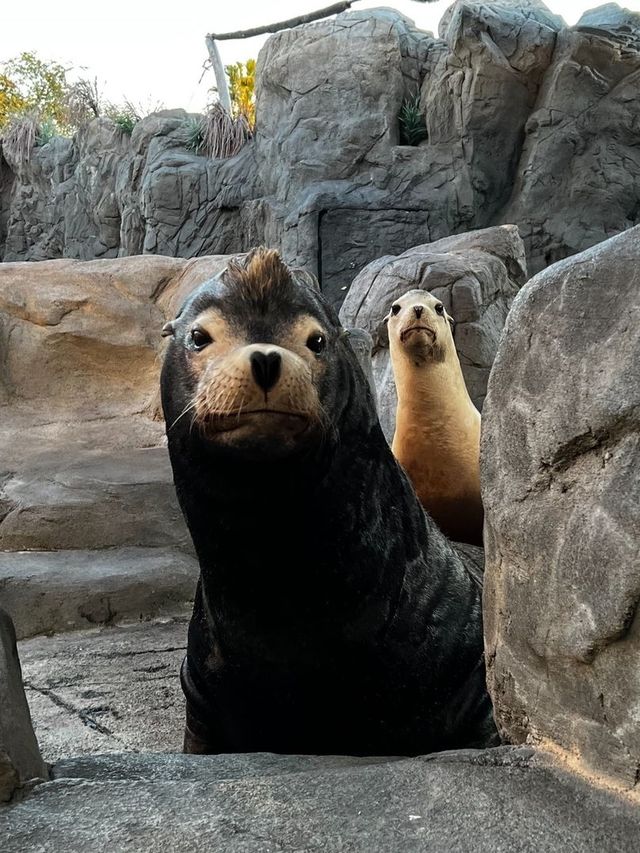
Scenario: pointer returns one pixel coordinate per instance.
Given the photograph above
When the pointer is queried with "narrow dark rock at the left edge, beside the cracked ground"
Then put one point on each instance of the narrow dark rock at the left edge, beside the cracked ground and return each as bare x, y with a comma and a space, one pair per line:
20, 759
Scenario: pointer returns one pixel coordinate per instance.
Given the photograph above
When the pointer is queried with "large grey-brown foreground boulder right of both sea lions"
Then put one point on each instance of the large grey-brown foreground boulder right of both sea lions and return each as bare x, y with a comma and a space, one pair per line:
561, 490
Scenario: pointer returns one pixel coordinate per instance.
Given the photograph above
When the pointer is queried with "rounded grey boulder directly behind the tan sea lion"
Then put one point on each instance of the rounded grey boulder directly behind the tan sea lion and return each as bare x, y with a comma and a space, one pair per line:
476, 275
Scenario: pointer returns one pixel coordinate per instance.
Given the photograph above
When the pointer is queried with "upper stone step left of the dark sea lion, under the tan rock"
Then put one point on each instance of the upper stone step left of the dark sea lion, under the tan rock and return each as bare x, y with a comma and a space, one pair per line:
71, 498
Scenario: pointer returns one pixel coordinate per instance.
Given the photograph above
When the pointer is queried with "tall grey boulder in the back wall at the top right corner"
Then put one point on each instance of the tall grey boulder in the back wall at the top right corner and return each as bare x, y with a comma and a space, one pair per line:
578, 181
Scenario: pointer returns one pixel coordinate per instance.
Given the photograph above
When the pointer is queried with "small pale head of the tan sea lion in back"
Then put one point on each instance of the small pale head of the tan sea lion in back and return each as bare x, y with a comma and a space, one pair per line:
419, 324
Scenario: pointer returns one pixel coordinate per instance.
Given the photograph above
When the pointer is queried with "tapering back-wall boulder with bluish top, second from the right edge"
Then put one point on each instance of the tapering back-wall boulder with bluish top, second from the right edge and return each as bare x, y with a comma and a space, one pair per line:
482, 89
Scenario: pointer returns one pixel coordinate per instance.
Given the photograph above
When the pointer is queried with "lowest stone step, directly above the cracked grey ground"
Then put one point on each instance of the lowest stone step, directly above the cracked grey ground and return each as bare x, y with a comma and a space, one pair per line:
52, 591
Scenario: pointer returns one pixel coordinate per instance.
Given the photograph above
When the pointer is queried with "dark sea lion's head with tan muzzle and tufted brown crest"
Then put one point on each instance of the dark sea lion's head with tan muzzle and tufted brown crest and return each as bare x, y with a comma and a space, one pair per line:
256, 360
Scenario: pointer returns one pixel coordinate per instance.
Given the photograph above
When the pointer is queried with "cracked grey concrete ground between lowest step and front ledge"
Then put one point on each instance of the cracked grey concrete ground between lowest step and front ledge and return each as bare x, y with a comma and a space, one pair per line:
109, 689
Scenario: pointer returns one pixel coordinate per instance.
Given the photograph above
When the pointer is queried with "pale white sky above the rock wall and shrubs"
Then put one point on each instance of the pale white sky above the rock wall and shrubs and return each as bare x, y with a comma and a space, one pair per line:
152, 52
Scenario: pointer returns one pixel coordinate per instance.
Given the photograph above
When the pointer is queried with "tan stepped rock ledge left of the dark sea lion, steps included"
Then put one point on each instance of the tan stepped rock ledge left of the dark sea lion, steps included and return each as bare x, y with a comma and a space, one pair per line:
83, 463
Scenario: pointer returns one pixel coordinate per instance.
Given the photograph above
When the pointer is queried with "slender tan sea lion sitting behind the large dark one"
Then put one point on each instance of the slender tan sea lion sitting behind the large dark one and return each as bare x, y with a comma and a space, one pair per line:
437, 437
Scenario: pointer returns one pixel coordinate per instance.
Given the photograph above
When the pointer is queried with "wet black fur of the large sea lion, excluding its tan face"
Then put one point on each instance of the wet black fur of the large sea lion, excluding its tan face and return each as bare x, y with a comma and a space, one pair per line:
331, 615
